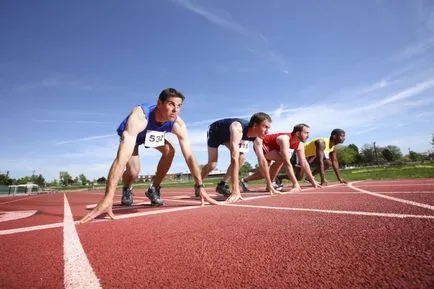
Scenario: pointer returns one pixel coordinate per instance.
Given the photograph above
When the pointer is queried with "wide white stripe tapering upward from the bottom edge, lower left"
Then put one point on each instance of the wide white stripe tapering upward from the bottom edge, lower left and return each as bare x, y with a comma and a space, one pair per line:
78, 272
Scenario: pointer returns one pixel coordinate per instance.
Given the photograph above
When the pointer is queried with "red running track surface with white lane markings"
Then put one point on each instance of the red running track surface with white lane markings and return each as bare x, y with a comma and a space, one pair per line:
371, 234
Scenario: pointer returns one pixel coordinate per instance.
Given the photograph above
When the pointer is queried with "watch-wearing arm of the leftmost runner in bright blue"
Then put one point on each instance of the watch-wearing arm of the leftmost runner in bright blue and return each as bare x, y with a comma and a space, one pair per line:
180, 130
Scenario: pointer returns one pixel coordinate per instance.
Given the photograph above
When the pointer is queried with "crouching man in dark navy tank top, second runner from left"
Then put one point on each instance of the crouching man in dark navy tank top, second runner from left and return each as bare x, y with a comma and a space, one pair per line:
234, 133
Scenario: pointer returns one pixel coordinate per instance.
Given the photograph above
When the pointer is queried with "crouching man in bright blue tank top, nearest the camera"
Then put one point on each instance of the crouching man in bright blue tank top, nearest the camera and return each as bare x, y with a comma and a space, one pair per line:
147, 124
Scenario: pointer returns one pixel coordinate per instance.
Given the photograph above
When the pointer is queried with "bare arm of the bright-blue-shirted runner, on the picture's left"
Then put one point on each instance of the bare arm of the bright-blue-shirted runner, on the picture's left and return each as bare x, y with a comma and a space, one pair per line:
136, 123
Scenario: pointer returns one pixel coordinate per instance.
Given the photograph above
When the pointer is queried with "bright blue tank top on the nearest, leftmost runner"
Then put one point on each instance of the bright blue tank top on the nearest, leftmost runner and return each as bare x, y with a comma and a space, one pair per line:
149, 111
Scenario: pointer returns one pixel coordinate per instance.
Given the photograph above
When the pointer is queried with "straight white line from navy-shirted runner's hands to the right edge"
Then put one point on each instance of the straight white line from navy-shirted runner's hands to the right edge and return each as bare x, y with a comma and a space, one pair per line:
359, 213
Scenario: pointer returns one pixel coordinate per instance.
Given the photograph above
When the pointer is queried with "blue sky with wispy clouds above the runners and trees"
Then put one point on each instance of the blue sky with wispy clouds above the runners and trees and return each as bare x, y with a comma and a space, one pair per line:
70, 71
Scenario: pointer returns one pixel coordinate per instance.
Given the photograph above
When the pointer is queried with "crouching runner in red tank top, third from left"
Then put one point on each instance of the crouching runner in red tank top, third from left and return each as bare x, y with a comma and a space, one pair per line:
279, 147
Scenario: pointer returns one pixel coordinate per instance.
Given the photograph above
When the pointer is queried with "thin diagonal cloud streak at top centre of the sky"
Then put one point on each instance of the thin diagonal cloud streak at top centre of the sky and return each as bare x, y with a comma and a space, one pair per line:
224, 20
